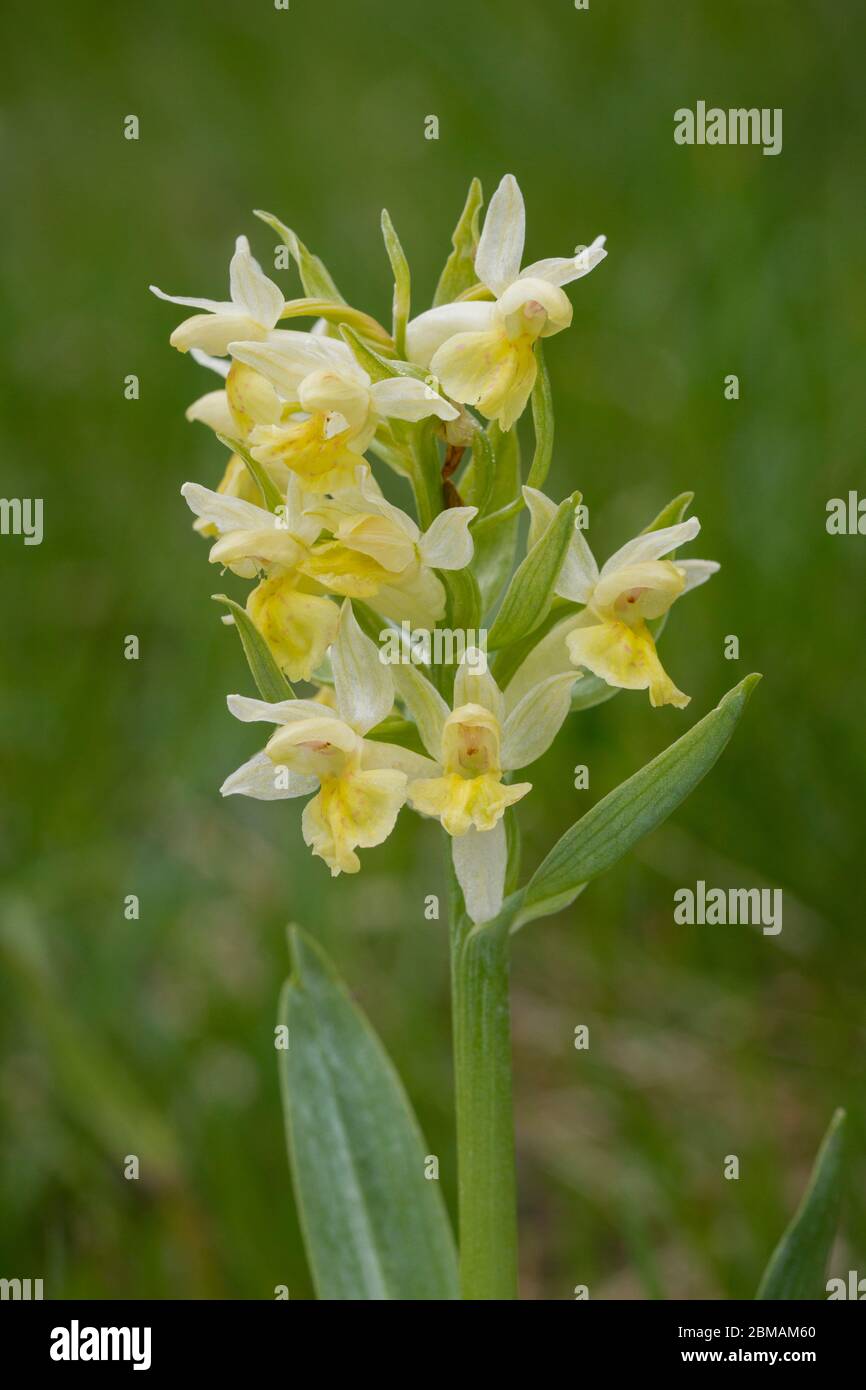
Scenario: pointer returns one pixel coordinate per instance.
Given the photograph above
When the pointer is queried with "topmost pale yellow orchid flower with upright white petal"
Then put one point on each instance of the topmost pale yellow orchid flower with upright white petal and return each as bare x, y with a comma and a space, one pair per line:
483, 354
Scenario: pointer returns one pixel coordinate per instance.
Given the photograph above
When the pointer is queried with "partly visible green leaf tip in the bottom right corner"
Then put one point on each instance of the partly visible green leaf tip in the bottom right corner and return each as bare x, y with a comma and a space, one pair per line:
797, 1266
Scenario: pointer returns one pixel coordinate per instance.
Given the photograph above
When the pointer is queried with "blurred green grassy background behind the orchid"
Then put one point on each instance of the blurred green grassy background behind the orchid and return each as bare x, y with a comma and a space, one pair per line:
155, 1038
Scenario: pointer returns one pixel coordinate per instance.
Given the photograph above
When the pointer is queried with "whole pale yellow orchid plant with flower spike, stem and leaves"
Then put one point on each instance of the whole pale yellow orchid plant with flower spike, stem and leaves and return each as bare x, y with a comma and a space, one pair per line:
316, 422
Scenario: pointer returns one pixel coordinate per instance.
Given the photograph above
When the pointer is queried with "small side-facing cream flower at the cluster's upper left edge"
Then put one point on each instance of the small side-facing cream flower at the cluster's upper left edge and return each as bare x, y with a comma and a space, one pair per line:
252, 312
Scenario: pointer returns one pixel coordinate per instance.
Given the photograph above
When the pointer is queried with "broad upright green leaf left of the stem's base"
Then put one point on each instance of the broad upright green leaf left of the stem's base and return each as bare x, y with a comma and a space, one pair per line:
375, 1227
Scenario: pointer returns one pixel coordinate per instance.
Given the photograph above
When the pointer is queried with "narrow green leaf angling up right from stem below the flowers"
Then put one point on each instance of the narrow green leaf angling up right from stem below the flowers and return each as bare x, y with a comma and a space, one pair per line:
633, 810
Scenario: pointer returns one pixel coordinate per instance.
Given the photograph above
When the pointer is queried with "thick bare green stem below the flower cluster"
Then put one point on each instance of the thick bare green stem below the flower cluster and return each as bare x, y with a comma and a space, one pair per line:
486, 1125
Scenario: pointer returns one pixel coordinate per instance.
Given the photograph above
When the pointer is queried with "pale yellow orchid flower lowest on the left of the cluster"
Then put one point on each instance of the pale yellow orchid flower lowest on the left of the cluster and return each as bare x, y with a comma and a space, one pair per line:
359, 785
